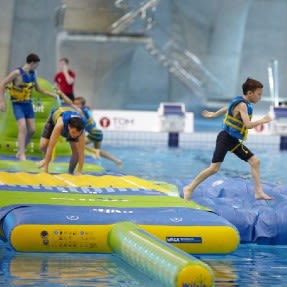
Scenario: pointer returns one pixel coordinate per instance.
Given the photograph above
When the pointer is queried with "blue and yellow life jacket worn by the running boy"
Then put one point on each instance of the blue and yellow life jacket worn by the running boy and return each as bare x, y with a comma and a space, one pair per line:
235, 126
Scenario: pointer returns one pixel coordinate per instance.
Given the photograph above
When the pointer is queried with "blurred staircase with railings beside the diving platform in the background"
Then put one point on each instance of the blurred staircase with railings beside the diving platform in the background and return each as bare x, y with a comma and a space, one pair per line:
170, 51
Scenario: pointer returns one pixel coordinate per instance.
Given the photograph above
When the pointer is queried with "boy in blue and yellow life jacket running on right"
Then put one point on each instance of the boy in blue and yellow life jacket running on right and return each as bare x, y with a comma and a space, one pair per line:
235, 127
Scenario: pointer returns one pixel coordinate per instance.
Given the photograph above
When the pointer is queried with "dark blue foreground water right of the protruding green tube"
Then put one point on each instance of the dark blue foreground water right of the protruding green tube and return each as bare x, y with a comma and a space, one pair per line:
250, 265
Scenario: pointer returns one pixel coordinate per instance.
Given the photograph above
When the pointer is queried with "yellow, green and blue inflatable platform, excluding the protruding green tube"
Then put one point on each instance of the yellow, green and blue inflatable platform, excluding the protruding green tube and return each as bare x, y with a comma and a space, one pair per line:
79, 204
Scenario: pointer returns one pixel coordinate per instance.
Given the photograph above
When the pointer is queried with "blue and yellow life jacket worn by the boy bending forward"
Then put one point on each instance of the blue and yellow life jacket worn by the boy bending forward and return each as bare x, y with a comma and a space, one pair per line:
66, 113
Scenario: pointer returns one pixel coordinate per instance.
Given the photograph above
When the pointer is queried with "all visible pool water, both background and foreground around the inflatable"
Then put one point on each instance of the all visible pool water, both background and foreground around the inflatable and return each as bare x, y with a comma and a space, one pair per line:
250, 265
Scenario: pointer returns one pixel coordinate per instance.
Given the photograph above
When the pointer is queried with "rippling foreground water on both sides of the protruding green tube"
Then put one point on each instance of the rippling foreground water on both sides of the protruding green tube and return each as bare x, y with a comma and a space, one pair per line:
249, 265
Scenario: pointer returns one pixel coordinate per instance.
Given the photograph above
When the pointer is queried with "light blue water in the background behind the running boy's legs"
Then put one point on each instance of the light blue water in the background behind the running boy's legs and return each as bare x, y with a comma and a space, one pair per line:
164, 164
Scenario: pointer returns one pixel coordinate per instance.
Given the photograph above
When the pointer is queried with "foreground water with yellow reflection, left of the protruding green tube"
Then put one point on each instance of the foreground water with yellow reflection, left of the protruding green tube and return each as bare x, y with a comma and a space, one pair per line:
68, 270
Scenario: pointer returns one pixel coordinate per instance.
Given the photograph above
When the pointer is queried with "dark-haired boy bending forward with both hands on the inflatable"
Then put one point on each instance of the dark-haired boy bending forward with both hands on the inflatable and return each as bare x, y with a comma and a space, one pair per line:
66, 122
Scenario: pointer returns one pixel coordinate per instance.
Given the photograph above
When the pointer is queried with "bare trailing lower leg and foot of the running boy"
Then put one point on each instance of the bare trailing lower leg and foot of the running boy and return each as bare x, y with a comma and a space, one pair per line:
204, 174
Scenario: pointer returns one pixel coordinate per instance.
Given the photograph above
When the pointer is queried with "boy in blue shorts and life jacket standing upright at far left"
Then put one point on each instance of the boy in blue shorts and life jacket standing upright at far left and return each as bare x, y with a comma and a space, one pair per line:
21, 81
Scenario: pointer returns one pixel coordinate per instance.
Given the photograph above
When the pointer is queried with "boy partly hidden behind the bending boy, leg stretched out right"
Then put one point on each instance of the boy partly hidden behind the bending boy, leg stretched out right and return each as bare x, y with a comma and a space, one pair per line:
94, 135
